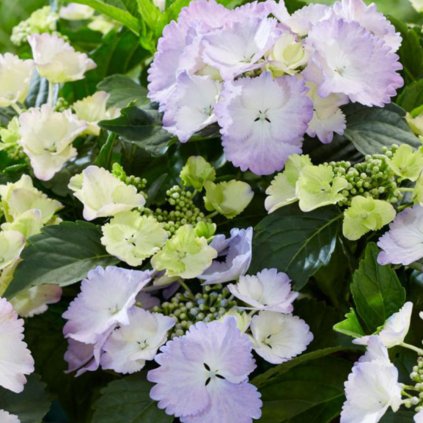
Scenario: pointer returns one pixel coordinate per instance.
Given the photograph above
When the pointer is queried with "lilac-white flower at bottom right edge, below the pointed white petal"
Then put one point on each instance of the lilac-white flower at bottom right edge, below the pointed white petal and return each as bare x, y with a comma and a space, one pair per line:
372, 387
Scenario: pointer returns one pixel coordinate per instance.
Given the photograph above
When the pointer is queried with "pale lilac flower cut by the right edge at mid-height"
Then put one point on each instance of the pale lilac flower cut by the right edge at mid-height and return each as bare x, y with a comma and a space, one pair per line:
402, 244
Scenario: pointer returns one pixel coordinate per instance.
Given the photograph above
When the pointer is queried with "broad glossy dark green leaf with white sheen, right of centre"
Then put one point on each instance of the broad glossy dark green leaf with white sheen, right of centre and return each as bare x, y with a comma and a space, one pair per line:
295, 242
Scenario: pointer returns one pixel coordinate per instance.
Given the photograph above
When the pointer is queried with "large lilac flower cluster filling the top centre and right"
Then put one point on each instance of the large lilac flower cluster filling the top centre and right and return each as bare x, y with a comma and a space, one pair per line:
268, 78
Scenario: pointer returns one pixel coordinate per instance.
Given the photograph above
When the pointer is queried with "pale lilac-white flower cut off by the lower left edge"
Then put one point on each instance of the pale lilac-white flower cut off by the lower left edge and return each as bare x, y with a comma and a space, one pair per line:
15, 358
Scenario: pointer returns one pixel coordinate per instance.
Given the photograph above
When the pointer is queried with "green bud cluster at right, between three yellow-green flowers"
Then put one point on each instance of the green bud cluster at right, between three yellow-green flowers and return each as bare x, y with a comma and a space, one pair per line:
371, 178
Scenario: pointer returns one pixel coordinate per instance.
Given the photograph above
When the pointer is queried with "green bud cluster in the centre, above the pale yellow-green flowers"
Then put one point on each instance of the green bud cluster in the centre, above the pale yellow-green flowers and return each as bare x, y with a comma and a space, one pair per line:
184, 210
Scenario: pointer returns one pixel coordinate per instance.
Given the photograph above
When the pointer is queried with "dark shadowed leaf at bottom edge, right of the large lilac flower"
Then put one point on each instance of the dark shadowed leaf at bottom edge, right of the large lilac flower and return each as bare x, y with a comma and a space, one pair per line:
316, 384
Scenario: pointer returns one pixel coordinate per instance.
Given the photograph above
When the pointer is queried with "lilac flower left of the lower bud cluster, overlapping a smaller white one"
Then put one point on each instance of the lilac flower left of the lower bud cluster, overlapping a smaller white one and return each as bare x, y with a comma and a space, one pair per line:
105, 298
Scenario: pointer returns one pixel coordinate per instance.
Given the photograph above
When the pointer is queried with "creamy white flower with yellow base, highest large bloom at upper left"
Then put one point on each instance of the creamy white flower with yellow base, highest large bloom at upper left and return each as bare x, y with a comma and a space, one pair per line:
56, 60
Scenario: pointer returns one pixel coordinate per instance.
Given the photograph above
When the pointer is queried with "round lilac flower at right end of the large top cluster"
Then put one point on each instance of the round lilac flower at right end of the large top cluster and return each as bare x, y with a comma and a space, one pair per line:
353, 62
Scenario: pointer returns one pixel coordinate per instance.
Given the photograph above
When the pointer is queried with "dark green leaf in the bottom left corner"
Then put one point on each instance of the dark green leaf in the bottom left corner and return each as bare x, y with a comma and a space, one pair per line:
31, 405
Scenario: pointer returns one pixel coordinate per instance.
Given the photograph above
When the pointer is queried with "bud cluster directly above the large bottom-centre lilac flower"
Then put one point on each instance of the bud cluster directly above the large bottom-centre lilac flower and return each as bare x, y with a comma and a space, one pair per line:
212, 303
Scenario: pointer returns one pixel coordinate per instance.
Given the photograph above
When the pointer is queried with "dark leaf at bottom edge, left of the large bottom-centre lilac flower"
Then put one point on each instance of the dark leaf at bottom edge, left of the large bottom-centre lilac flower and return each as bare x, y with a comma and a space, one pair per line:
128, 401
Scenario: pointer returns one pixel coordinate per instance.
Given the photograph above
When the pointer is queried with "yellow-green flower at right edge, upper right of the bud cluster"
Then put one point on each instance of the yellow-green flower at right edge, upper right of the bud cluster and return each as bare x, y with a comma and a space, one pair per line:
406, 162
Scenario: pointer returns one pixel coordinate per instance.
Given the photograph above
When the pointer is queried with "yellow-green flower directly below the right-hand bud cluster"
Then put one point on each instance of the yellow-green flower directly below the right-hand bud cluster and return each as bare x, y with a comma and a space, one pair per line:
365, 215
